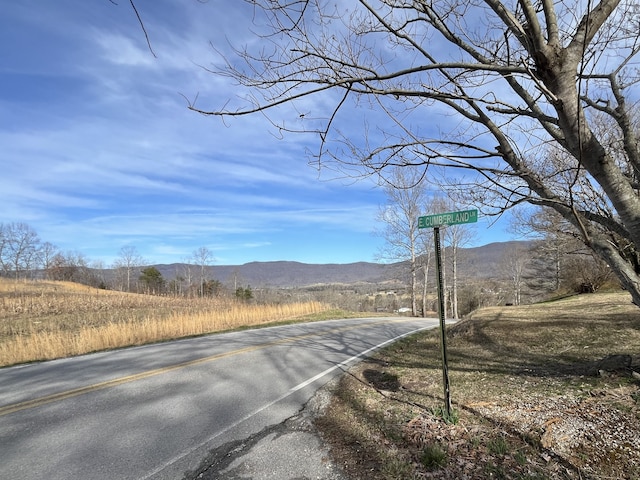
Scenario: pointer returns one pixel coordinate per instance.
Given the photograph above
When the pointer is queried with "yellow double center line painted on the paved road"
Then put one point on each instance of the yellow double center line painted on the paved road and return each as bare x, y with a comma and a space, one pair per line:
37, 402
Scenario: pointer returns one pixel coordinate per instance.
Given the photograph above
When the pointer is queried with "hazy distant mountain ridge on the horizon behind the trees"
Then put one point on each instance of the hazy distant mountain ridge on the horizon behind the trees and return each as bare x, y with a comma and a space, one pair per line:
478, 262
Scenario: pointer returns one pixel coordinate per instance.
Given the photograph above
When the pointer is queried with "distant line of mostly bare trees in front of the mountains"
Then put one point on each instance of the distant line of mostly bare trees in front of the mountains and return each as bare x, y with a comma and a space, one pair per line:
555, 263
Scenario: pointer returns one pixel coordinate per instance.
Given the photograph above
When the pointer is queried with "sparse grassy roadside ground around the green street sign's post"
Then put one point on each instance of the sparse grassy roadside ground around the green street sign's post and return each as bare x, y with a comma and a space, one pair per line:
529, 400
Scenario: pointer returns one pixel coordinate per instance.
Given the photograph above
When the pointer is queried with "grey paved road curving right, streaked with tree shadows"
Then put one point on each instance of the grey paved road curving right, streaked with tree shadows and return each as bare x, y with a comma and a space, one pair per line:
157, 411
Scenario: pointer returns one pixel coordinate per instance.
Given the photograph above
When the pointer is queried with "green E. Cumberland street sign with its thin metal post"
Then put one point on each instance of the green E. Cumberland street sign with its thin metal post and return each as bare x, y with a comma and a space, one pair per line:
436, 221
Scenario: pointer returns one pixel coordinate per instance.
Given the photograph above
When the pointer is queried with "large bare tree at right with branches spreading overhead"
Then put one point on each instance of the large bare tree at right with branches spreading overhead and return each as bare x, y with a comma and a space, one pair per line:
501, 79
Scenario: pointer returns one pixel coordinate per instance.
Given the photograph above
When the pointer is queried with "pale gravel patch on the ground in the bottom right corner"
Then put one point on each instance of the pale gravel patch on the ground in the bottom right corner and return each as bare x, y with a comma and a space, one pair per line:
598, 435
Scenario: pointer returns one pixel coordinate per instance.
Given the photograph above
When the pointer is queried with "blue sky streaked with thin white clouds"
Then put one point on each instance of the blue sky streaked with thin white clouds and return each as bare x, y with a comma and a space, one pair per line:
98, 150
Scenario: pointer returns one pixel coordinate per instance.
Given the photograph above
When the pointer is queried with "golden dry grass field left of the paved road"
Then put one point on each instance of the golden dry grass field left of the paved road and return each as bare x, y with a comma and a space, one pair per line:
44, 320
